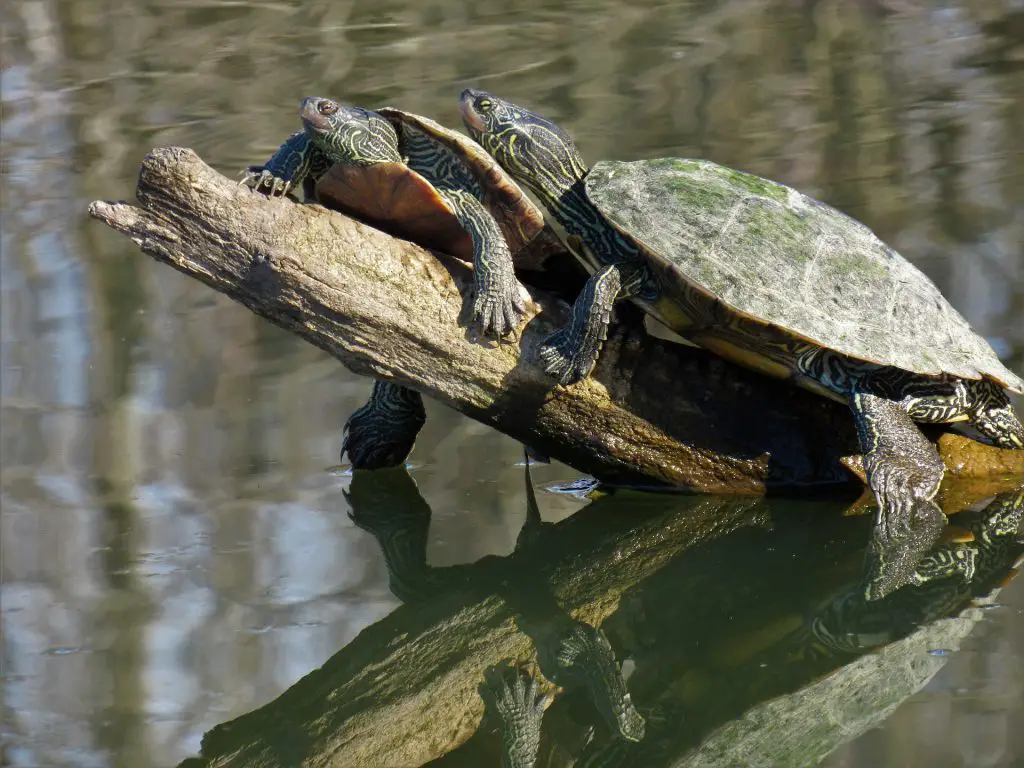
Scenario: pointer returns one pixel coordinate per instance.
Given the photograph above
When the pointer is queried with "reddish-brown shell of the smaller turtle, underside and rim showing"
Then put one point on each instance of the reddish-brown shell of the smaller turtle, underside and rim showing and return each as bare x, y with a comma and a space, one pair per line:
397, 199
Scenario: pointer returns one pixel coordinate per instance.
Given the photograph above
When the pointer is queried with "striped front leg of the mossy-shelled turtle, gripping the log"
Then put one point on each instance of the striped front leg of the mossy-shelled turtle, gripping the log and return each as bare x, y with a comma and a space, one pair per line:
571, 353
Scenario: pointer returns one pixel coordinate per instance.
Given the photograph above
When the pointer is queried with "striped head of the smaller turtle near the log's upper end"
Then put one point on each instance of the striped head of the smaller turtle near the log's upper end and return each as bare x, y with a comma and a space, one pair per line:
350, 135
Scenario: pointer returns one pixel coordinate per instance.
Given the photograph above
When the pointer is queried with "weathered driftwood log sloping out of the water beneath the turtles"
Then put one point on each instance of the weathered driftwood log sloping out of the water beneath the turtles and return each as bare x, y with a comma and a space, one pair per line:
654, 411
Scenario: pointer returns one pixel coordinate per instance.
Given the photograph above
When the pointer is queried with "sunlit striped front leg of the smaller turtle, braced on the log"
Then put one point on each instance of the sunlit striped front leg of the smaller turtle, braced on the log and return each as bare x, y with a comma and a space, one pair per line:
498, 305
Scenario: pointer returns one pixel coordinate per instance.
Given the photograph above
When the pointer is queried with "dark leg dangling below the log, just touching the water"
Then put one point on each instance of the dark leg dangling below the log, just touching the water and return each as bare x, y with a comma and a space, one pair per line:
381, 434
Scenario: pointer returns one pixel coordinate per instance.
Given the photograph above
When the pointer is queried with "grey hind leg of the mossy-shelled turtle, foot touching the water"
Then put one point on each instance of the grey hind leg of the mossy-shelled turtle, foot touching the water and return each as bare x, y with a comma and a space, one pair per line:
904, 467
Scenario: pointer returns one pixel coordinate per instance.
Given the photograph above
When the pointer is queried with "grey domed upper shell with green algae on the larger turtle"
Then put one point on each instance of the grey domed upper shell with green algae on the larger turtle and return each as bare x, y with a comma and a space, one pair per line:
781, 259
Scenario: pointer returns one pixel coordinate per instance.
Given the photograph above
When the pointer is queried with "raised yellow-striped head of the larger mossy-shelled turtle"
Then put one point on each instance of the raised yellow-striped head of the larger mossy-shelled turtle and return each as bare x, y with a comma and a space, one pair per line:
532, 149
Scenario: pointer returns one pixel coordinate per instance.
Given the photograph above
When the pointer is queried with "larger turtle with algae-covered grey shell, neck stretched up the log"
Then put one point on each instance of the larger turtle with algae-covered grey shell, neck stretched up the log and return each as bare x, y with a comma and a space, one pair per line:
767, 278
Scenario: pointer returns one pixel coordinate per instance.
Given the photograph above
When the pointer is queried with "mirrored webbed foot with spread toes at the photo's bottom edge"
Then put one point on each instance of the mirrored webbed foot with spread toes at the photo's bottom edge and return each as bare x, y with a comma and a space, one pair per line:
514, 700
